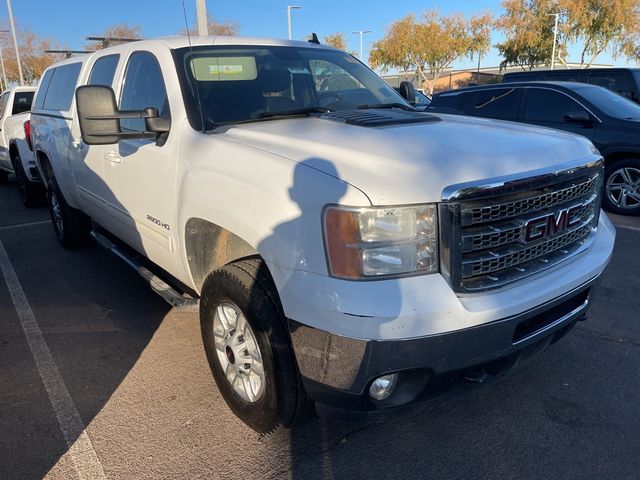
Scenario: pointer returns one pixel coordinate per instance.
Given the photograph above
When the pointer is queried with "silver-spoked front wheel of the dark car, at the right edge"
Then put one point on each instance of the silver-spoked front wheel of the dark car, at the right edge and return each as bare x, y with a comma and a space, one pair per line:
622, 187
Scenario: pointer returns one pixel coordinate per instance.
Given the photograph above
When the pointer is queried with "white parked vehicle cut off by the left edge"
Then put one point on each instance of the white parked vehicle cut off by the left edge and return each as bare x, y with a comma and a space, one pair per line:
15, 150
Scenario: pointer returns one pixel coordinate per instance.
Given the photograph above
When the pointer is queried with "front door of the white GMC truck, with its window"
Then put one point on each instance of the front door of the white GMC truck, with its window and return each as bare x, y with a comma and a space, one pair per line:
141, 172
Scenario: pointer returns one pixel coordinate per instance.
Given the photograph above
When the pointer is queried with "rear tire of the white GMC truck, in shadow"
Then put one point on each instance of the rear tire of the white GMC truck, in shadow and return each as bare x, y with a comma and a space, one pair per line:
72, 227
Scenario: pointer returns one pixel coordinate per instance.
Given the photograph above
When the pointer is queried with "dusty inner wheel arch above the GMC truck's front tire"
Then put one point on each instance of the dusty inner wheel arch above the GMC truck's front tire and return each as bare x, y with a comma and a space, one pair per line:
210, 246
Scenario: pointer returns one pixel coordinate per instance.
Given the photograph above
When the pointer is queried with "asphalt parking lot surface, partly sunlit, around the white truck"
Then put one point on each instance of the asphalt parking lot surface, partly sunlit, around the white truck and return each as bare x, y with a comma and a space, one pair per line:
136, 374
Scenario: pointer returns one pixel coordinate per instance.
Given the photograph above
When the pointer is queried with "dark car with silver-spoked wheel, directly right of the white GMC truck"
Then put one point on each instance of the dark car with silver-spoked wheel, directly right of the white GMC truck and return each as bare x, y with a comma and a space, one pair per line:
610, 121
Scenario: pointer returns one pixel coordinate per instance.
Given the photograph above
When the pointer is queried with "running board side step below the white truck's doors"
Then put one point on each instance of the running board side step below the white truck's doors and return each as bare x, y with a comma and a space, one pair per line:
158, 285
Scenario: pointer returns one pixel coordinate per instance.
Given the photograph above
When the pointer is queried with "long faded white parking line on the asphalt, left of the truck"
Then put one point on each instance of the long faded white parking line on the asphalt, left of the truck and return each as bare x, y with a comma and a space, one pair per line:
81, 450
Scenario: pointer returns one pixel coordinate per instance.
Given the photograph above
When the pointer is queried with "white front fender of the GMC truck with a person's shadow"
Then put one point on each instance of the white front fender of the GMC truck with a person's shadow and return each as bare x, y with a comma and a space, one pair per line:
271, 202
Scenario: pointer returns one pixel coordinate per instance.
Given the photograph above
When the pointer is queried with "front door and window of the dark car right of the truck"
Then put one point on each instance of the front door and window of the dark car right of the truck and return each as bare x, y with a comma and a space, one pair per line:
547, 107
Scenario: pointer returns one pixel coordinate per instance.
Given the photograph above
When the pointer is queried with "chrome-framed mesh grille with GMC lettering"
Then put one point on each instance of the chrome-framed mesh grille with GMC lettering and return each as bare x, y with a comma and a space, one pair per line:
496, 234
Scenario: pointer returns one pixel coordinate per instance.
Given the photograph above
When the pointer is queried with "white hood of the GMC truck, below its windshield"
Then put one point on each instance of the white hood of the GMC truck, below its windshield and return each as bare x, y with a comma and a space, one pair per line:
405, 163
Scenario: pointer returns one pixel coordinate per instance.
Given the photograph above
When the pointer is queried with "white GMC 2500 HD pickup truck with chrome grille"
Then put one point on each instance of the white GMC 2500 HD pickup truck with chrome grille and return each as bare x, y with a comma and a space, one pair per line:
345, 249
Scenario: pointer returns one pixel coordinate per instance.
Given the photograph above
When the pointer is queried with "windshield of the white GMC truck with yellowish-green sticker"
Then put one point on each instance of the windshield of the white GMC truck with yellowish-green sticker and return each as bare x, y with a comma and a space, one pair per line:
240, 84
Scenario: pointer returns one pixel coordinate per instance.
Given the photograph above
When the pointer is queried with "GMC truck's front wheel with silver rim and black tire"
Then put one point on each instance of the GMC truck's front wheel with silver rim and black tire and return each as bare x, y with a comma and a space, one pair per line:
248, 347
